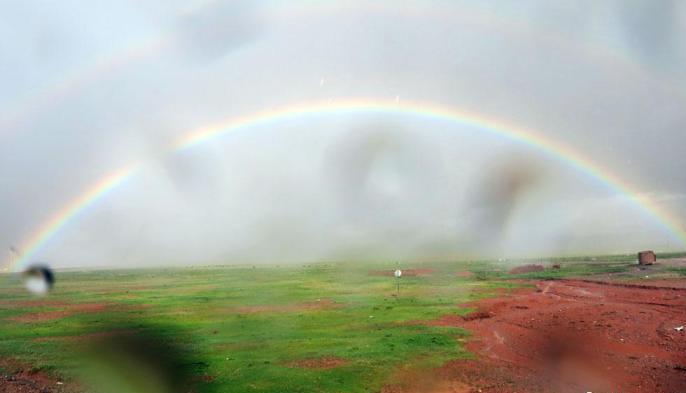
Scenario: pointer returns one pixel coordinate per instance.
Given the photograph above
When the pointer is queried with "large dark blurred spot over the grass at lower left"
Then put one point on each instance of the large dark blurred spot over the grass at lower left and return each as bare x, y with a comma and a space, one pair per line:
137, 361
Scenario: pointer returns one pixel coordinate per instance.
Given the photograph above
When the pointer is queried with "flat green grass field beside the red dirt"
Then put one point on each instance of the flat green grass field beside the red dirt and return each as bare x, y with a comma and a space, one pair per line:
201, 311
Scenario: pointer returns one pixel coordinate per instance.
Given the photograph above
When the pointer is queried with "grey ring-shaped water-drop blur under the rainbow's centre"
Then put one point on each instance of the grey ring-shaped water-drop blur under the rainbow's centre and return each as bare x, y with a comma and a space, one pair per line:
377, 167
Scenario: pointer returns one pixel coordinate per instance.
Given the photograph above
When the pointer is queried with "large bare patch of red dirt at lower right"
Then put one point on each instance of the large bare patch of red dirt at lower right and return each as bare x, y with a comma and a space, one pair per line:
573, 336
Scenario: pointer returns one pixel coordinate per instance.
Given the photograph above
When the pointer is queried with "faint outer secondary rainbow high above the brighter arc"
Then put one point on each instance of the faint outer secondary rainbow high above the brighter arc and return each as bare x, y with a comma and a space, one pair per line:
146, 48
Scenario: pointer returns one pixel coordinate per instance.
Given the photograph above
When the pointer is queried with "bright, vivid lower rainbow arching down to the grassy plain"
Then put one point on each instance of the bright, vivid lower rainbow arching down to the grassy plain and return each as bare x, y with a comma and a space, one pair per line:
209, 133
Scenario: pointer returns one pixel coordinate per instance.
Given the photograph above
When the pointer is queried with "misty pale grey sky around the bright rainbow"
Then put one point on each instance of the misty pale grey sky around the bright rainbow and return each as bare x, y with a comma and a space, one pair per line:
88, 88
